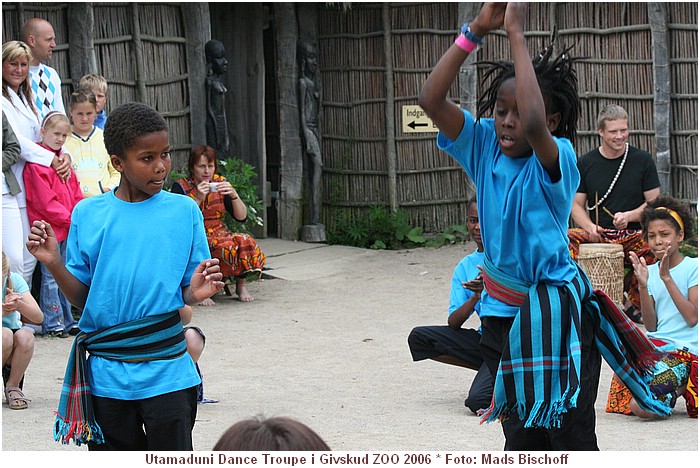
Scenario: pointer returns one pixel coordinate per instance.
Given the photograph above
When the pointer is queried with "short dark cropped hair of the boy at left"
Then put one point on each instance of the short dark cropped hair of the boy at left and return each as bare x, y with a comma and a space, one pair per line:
129, 122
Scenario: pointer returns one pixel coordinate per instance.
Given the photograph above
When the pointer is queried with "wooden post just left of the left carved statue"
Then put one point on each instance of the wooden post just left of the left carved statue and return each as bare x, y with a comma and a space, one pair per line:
196, 20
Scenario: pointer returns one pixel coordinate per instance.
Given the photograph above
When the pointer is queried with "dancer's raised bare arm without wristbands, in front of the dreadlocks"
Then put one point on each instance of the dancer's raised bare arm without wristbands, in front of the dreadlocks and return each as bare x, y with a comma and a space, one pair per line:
536, 124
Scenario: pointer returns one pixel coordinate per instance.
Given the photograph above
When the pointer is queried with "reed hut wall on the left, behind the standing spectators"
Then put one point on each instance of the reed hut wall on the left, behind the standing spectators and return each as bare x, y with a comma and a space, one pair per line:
140, 49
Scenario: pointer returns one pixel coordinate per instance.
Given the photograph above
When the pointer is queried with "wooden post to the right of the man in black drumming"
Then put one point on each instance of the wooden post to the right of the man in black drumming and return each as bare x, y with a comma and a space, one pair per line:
658, 19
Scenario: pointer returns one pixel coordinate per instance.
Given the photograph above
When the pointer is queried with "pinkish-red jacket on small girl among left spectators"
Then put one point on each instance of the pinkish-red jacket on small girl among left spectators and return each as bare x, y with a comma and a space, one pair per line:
49, 199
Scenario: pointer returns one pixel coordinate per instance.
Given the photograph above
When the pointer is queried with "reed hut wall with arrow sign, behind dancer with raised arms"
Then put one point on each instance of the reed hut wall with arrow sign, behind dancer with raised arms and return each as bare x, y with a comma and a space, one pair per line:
612, 41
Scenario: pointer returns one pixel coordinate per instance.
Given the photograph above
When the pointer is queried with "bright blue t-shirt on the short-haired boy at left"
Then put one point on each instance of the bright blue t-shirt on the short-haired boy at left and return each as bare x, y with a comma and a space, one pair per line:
135, 258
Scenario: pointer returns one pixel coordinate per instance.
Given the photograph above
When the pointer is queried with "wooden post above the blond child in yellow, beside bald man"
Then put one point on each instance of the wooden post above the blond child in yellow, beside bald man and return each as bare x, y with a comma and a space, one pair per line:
81, 41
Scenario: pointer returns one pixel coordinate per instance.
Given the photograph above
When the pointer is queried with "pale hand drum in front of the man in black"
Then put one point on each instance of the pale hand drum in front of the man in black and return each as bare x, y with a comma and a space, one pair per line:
605, 266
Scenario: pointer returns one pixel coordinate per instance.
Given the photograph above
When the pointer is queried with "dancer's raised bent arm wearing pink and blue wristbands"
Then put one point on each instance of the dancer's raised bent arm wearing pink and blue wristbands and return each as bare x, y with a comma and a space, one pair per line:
445, 114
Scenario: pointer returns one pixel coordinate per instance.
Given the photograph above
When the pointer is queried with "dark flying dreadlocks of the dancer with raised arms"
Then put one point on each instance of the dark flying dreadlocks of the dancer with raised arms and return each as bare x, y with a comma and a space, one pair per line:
558, 84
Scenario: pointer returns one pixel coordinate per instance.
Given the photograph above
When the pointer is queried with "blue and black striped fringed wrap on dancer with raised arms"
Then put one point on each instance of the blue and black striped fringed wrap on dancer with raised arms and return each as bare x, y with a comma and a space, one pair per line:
538, 377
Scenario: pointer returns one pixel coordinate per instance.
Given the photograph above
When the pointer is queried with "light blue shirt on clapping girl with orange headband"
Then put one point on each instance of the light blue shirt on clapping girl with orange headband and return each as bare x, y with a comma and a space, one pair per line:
670, 324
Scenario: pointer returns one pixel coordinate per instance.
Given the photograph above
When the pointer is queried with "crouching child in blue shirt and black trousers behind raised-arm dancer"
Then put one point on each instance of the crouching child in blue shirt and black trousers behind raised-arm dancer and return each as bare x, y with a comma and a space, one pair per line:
453, 344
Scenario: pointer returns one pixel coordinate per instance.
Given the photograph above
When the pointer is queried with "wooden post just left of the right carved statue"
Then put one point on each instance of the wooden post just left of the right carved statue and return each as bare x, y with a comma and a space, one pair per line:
291, 162
